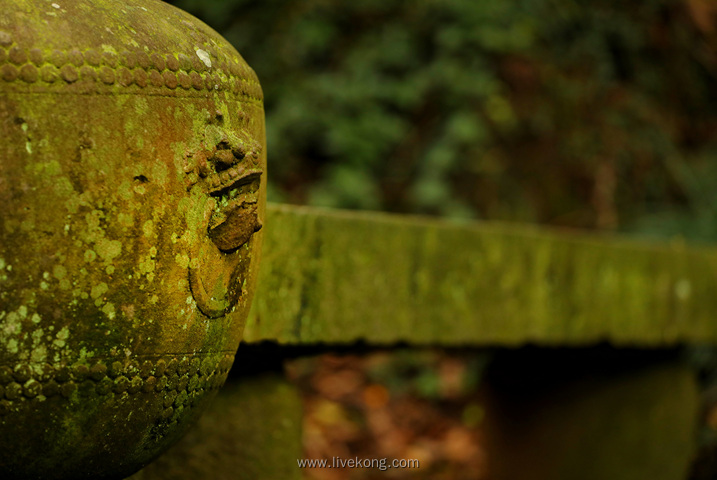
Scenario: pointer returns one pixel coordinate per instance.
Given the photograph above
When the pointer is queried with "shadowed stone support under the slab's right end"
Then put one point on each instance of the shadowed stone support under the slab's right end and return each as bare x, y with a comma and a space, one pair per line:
611, 419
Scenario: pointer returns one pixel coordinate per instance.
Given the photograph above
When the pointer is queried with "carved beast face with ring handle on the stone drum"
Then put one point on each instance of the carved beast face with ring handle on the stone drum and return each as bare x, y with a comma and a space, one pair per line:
228, 172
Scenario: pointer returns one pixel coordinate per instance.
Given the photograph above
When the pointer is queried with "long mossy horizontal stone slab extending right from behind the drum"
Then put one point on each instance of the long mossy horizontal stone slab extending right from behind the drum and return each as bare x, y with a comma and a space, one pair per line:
341, 277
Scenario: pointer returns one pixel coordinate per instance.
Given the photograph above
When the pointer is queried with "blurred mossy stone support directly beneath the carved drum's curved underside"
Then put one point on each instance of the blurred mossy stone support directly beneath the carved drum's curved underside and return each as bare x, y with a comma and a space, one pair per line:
251, 431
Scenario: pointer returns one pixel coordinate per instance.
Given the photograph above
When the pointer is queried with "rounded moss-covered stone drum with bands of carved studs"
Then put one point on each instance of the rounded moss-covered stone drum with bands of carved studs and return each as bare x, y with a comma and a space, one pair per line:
131, 201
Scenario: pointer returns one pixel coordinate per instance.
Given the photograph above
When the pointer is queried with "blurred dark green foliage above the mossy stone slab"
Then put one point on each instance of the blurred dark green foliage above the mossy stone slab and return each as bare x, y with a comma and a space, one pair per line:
595, 114
